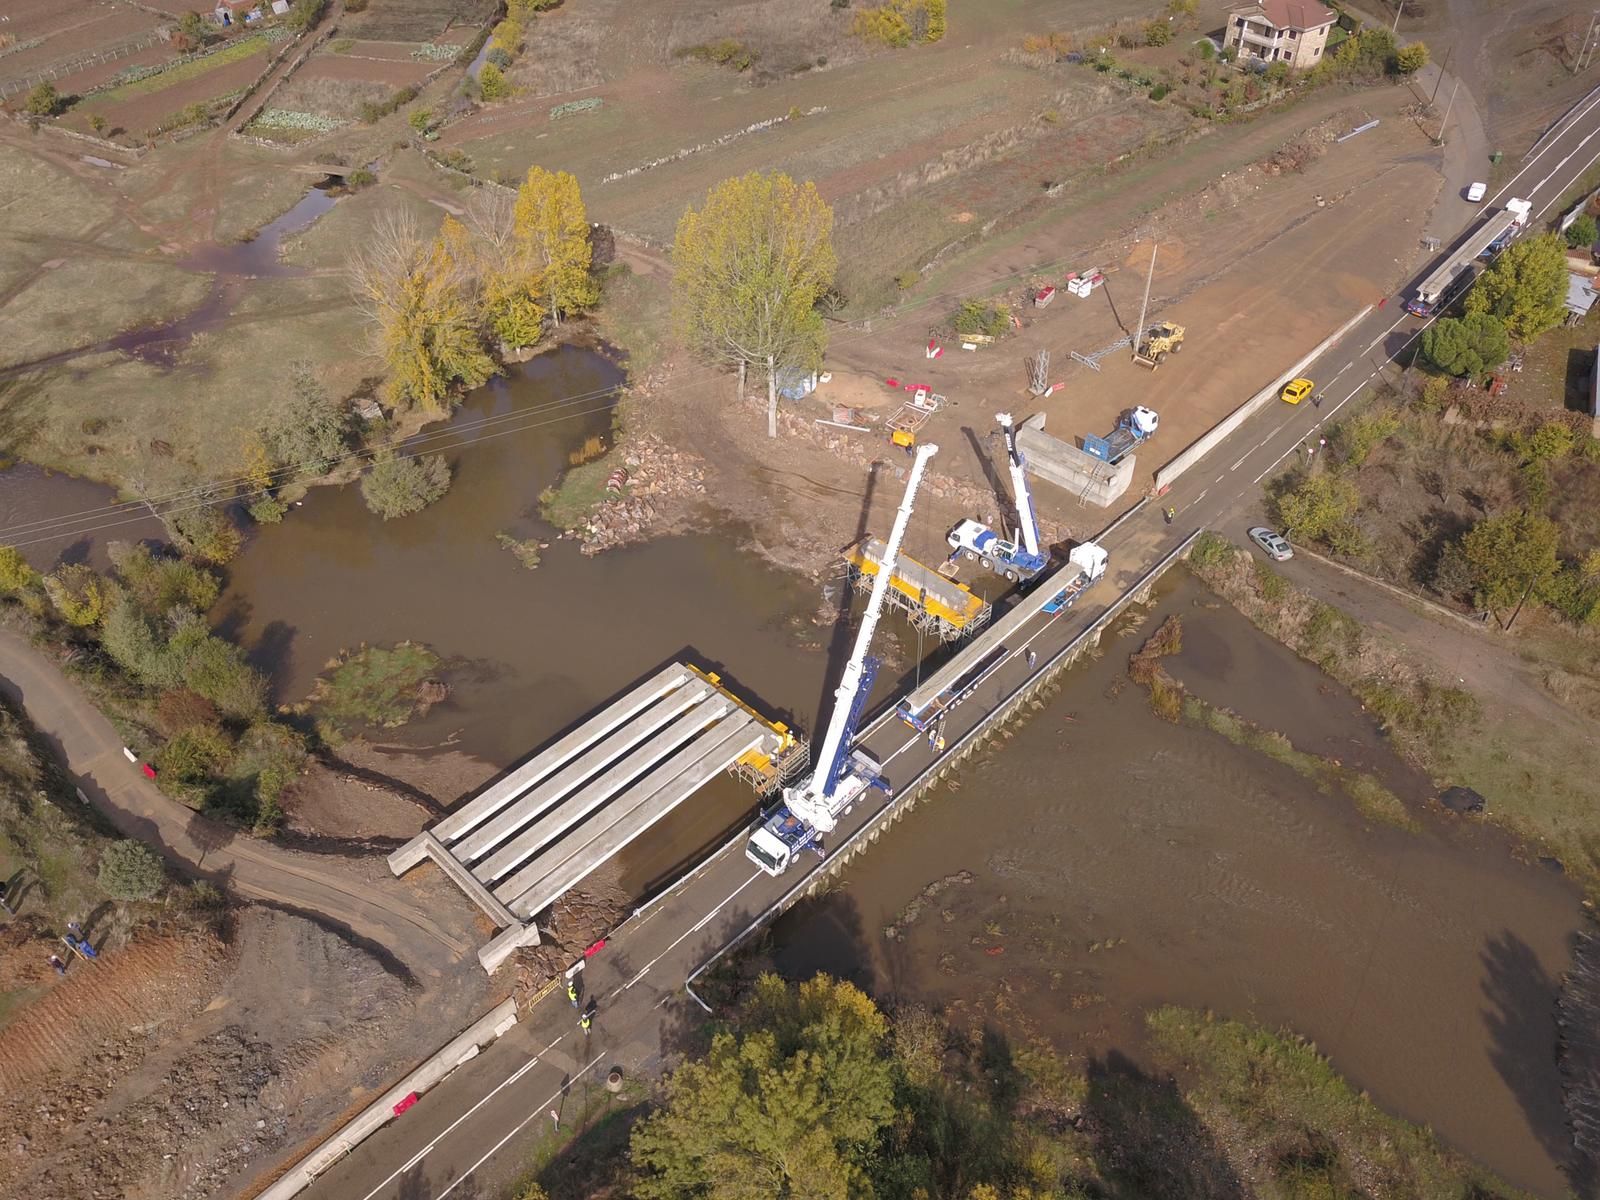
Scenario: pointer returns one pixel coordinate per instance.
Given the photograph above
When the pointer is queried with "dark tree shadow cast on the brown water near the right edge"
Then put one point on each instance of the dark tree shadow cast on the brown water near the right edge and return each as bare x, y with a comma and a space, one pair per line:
1524, 1039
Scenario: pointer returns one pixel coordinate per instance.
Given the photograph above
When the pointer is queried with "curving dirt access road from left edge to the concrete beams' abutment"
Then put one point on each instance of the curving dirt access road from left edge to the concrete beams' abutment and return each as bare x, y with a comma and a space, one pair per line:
428, 935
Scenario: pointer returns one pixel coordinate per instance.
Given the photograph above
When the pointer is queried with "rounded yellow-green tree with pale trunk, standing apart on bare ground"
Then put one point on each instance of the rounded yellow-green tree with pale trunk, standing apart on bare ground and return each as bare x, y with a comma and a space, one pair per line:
750, 270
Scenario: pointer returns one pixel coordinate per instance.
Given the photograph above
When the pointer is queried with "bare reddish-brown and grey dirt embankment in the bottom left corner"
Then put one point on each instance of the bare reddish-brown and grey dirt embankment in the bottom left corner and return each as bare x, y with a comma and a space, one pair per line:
177, 1068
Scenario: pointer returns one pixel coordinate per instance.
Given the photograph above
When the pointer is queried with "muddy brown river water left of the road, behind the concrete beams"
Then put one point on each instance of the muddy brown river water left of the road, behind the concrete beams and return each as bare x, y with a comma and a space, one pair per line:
529, 652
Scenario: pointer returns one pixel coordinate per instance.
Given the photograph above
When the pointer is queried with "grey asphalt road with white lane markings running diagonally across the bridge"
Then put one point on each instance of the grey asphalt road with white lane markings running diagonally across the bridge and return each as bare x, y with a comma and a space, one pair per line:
470, 1137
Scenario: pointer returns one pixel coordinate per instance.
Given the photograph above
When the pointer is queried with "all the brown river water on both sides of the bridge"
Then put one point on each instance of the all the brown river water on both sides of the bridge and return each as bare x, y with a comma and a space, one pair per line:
1423, 964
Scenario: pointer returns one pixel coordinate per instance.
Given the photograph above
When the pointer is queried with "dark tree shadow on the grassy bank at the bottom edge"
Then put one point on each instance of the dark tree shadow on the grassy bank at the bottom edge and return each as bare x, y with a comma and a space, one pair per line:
1148, 1138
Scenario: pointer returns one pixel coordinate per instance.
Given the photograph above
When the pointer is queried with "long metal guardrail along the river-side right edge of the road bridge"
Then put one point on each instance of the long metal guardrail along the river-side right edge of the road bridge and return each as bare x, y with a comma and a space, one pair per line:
1004, 710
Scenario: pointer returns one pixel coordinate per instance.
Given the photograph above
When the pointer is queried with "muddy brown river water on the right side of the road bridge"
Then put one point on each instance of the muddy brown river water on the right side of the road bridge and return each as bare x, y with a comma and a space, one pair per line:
1121, 863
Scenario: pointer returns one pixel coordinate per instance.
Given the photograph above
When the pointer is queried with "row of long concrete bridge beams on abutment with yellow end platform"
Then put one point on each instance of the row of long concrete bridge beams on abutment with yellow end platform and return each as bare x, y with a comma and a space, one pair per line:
532, 836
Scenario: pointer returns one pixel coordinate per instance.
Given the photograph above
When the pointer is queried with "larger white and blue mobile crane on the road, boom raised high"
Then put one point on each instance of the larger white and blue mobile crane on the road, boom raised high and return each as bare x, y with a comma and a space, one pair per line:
814, 807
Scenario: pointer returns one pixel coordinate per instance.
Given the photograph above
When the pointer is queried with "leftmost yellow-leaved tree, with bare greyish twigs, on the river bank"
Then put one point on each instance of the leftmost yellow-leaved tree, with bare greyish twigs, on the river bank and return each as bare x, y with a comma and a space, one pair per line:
418, 298
